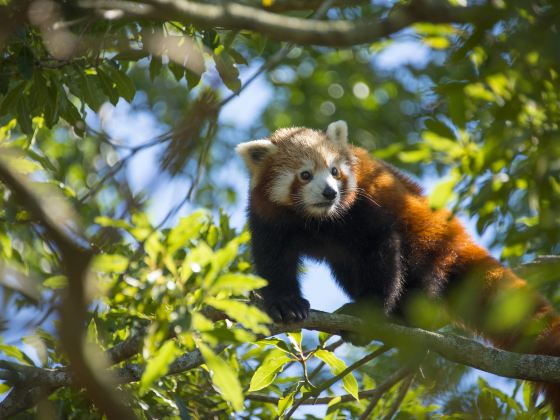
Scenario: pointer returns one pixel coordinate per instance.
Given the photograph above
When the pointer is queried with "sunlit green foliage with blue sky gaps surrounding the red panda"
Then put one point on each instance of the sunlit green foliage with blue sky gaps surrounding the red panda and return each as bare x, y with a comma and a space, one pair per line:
478, 110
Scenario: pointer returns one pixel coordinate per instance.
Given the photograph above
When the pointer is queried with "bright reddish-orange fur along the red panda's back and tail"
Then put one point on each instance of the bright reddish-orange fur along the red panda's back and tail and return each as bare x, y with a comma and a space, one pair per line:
441, 236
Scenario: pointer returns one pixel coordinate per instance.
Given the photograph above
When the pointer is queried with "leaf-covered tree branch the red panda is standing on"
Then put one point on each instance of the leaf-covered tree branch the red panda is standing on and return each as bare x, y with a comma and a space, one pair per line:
452, 347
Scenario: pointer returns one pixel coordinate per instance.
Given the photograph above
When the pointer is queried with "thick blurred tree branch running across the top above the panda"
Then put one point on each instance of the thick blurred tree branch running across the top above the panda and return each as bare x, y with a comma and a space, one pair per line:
334, 33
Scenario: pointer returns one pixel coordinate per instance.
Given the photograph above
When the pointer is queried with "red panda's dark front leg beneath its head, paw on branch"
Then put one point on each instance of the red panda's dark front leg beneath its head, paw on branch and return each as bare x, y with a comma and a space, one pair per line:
277, 261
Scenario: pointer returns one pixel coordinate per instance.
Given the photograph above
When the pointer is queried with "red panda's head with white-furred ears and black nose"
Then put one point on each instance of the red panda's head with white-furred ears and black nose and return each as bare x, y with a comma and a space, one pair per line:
307, 170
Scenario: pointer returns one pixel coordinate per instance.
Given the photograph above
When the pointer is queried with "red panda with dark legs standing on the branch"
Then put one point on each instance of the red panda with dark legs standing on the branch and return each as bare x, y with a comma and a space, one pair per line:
312, 194
